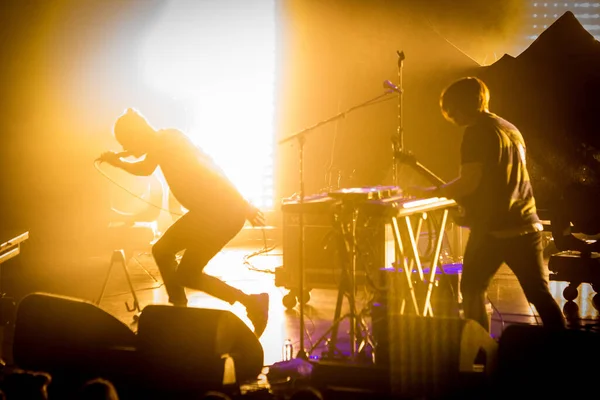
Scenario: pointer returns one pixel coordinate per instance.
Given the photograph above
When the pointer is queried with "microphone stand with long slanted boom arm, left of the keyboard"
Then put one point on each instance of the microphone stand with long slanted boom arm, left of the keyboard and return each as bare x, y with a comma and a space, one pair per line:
301, 138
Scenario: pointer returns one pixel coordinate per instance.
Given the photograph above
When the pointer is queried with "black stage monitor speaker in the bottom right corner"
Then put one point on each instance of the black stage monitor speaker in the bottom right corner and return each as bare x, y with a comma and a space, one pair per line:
543, 361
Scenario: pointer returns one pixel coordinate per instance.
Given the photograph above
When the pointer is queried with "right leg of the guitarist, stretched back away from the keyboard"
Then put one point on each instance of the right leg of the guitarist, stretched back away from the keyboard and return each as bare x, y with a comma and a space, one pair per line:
525, 258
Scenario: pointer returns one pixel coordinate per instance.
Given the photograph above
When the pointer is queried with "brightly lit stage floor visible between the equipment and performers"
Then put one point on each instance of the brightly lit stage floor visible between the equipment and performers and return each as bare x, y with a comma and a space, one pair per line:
251, 269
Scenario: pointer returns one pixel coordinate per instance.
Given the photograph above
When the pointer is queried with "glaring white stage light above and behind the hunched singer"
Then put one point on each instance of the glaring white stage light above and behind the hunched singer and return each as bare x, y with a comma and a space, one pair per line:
218, 58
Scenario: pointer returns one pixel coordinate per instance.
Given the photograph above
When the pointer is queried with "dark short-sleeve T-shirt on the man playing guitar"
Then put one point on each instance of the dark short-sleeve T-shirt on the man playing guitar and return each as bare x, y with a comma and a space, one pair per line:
504, 198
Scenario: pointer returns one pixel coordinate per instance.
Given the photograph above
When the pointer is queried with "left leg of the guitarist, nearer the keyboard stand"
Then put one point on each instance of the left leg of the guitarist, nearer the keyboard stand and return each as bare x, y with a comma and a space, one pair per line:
481, 261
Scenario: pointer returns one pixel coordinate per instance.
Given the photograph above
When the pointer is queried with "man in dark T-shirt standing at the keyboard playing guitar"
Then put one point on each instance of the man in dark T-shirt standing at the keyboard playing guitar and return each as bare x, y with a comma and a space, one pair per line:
494, 189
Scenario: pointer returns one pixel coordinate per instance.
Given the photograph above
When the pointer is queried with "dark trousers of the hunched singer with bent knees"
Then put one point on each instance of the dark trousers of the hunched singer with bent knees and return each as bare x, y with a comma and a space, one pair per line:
202, 235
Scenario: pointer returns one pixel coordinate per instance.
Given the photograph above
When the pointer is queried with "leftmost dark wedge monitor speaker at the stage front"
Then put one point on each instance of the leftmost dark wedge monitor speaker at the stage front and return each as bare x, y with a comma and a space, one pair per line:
54, 332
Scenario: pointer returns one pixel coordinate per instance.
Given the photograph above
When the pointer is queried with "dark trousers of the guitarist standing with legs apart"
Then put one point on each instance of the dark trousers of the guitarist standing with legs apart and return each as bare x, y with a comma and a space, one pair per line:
484, 255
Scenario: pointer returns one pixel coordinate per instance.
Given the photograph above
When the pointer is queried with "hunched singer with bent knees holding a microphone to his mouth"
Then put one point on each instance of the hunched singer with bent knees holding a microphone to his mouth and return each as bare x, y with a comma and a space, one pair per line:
216, 211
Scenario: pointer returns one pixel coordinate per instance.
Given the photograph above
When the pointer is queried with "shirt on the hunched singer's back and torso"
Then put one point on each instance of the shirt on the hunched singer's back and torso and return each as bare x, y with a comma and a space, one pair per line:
193, 177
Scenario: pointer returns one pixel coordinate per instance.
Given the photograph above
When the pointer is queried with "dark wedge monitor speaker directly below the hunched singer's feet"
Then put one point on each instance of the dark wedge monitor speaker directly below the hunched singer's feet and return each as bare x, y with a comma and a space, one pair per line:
191, 345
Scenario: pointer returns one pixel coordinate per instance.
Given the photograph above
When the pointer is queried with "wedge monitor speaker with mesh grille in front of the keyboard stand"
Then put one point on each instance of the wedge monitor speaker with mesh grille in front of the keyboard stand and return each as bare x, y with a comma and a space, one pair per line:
433, 355
